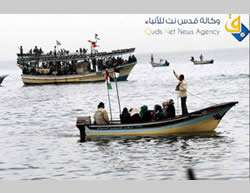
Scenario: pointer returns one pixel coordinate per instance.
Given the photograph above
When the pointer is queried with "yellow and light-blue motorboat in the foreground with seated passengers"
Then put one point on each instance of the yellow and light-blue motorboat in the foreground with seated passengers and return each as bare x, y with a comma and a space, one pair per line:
204, 120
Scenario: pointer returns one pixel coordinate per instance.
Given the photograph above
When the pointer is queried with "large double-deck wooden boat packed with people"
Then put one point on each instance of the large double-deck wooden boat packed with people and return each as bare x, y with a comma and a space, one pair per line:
75, 67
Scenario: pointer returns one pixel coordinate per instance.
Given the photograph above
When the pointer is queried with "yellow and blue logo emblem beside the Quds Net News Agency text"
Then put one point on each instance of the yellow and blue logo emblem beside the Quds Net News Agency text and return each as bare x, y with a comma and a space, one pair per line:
236, 28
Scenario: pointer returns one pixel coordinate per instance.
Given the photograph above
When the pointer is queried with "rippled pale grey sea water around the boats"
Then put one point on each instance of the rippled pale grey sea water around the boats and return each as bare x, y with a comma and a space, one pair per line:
39, 138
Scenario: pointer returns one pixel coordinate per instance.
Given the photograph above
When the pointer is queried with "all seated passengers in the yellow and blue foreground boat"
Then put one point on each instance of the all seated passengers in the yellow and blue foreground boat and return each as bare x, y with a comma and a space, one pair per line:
166, 111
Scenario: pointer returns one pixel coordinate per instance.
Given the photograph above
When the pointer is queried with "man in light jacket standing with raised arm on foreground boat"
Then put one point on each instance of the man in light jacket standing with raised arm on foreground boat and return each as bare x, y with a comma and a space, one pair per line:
182, 88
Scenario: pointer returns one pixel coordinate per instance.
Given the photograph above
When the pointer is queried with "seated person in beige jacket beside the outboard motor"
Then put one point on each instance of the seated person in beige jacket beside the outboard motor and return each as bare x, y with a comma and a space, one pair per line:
101, 115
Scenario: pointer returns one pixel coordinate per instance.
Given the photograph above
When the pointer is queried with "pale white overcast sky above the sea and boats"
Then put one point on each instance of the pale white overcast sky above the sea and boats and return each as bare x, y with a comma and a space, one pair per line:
116, 32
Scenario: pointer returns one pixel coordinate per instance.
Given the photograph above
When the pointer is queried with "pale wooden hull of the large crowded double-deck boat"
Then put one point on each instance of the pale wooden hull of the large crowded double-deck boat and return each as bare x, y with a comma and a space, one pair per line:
78, 78
